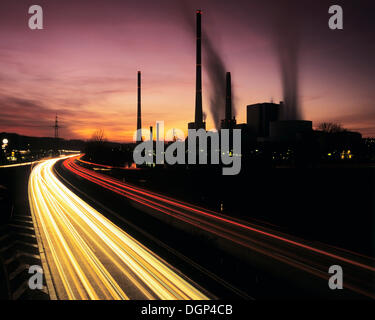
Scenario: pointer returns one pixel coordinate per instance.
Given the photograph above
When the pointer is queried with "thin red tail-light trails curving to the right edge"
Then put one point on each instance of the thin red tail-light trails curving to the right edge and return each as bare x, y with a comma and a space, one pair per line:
267, 242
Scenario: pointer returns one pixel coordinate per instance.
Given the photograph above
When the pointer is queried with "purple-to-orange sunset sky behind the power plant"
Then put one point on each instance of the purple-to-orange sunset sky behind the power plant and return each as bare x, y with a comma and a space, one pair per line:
83, 65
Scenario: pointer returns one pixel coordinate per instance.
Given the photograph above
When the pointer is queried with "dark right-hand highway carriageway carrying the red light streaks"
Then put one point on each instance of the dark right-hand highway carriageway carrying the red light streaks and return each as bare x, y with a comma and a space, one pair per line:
295, 256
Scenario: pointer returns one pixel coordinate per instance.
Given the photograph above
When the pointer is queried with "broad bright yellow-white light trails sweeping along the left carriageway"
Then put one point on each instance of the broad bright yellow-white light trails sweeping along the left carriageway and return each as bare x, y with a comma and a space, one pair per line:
90, 257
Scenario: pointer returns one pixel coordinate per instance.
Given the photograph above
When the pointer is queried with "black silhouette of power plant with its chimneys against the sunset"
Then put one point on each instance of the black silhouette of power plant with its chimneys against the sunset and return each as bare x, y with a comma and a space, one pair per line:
272, 132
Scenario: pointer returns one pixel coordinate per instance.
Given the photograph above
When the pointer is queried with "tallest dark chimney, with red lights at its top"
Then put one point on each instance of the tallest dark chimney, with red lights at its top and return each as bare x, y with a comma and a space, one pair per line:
198, 95
